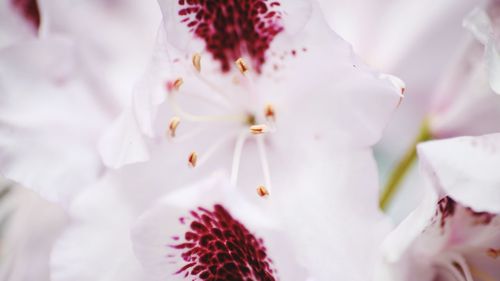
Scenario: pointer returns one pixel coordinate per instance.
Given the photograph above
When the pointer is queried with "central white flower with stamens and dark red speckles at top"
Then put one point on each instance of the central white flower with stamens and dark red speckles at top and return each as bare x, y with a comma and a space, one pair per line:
260, 97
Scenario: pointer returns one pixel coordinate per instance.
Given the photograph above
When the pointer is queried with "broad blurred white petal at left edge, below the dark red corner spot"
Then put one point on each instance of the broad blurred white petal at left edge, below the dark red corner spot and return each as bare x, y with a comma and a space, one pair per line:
48, 136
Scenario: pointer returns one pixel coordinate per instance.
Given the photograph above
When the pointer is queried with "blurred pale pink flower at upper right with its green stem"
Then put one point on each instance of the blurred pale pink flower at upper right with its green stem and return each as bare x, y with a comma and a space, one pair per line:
447, 91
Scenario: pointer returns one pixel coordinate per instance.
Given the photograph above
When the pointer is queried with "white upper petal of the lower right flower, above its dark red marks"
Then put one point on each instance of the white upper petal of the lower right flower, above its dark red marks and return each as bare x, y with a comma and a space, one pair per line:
466, 169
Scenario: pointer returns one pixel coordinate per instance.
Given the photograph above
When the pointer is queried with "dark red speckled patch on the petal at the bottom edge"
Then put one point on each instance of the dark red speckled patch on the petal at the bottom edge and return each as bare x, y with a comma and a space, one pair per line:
218, 247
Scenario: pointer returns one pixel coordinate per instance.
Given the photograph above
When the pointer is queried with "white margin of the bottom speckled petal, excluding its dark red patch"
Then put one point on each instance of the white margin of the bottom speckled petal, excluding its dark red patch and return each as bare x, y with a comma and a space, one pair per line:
154, 231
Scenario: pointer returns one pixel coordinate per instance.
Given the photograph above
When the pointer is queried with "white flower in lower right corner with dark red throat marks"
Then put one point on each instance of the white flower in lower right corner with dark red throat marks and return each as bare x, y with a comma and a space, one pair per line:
455, 233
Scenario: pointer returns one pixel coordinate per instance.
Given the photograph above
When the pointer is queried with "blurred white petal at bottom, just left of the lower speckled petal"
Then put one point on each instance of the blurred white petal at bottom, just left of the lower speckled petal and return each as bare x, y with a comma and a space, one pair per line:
96, 245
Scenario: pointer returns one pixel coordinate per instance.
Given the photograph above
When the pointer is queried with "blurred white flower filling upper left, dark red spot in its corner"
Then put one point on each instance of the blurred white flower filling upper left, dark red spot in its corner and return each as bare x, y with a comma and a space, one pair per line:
62, 82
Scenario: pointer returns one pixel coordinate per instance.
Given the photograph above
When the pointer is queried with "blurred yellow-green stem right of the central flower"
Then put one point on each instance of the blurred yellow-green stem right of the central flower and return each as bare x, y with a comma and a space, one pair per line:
403, 166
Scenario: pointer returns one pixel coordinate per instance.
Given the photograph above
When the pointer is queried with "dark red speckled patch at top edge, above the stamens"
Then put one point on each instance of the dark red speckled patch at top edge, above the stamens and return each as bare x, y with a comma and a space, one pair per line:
233, 28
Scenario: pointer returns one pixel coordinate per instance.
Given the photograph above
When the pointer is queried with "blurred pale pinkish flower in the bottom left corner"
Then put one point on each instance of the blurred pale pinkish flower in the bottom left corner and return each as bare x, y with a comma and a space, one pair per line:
29, 228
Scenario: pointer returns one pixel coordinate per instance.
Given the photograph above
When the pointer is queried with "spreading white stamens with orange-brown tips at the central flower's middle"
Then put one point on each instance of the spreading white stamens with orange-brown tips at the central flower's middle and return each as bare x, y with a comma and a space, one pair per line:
248, 124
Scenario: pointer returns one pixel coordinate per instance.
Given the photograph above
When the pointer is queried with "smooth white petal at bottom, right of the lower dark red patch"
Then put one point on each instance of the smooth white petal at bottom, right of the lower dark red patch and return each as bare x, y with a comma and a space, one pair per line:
327, 208
